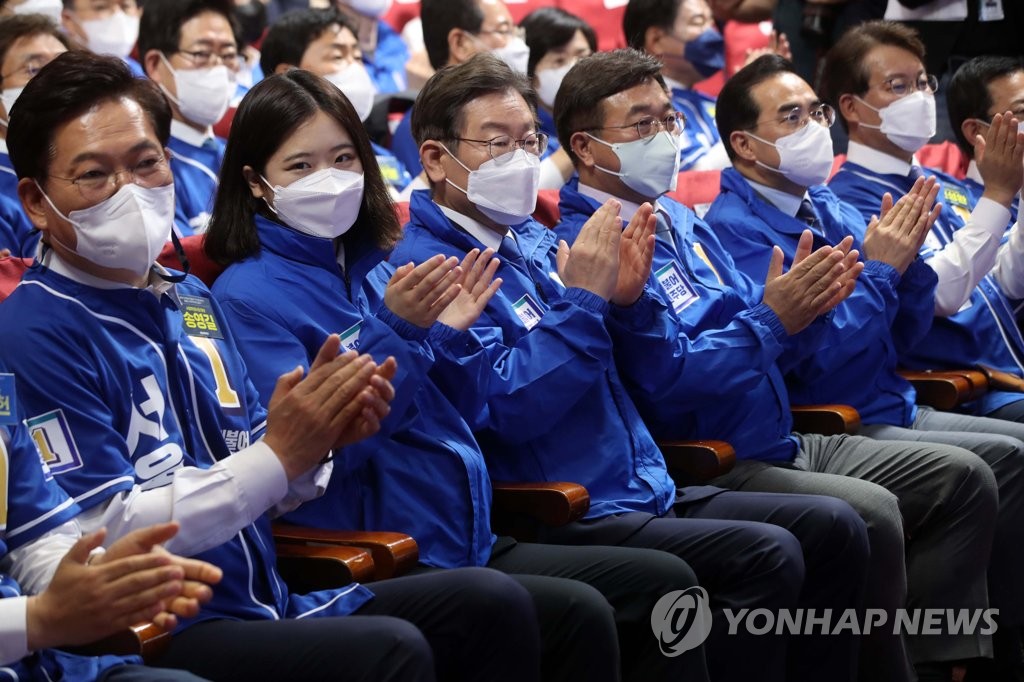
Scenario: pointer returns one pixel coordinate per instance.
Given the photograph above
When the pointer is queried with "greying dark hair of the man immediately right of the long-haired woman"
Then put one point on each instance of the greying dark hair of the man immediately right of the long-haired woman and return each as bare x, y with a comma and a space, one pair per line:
438, 114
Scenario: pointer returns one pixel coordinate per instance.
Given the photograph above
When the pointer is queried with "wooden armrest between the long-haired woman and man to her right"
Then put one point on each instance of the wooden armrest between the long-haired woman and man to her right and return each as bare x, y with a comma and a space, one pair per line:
521, 509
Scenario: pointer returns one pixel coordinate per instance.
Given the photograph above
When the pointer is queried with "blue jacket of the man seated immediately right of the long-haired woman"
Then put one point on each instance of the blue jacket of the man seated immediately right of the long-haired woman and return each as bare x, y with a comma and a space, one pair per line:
547, 404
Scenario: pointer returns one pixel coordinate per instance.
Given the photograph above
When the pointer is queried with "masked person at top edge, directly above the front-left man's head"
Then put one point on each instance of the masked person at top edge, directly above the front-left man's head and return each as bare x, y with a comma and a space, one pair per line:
105, 27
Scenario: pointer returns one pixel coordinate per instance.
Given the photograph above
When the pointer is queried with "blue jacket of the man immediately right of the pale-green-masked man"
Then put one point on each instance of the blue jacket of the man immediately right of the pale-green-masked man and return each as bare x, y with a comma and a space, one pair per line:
856, 363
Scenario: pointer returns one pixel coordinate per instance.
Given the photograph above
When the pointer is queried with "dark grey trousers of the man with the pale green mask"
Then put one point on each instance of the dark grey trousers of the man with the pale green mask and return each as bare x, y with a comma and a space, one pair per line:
944, 499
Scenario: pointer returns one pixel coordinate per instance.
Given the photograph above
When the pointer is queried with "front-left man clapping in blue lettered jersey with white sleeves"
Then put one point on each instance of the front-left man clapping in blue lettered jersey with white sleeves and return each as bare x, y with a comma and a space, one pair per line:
139, 401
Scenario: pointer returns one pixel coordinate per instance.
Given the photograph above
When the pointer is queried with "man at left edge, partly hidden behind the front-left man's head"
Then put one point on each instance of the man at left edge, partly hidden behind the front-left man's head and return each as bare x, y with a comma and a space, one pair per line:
28, 42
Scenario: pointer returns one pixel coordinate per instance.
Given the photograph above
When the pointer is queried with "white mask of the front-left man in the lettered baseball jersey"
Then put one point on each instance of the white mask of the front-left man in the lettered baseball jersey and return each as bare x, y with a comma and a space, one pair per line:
126, 232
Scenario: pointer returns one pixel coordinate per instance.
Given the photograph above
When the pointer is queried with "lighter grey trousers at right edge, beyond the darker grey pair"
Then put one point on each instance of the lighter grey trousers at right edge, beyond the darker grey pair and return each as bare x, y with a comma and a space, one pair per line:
1001, 444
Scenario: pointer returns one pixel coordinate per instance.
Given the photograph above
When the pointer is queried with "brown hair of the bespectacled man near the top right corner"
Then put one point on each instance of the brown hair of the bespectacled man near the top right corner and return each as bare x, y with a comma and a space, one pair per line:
844, 71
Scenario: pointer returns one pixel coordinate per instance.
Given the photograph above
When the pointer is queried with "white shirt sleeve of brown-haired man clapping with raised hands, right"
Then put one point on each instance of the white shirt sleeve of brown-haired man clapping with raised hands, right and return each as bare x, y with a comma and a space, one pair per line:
963, 263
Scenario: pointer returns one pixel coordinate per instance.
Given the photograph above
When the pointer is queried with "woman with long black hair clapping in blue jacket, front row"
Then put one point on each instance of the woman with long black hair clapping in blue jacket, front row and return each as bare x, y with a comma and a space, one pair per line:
305, 223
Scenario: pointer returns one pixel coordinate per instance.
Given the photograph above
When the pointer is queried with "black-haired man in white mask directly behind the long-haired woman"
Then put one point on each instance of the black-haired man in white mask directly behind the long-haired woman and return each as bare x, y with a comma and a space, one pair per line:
324, 42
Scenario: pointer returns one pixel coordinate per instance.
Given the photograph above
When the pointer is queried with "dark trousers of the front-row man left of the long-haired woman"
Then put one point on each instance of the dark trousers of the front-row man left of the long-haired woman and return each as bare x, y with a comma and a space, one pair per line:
467, 624
